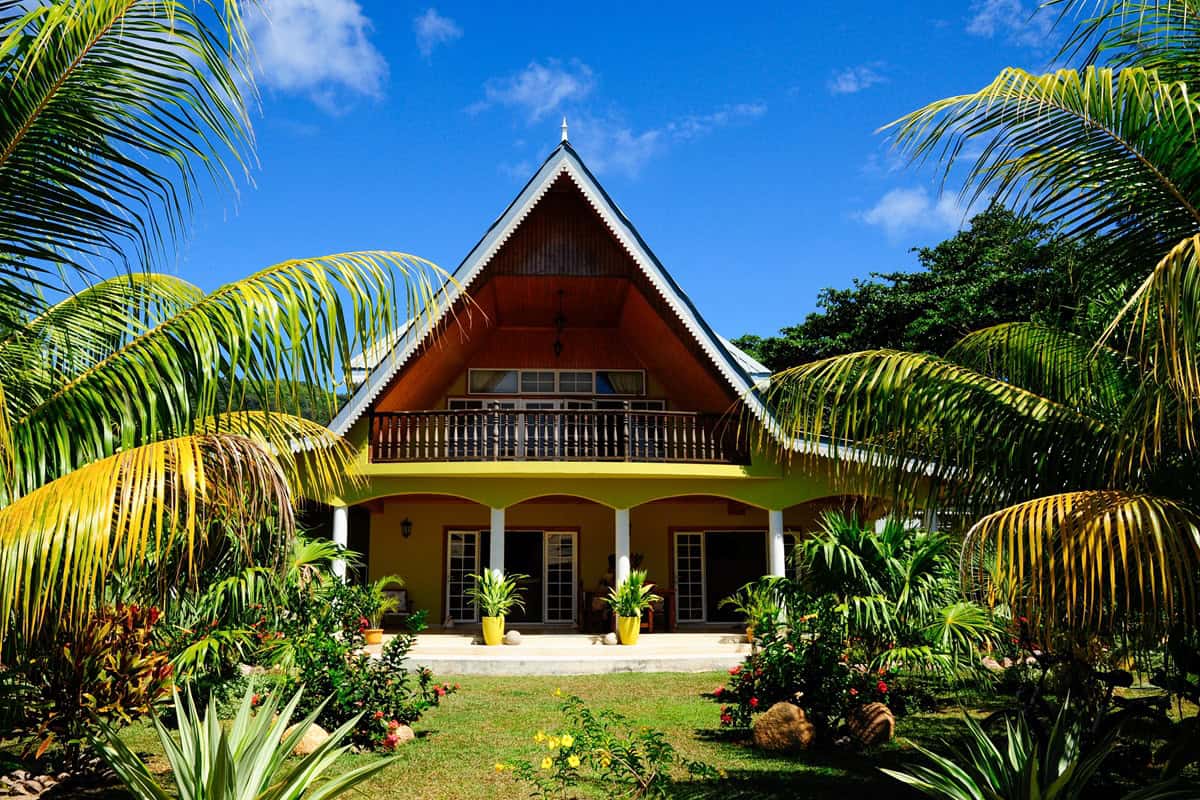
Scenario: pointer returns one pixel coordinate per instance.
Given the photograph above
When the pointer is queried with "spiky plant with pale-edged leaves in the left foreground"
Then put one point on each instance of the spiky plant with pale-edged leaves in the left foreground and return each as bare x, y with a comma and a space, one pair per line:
243, 761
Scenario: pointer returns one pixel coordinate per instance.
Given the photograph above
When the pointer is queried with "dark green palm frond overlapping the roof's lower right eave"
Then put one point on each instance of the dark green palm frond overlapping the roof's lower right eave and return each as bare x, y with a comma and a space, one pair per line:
898, 420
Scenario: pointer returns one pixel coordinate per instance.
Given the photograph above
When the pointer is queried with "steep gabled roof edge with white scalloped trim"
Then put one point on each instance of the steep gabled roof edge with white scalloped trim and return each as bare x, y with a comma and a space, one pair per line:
739, 370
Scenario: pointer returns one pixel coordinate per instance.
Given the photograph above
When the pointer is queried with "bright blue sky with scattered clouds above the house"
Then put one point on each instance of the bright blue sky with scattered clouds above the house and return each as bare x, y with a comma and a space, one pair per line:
740, 140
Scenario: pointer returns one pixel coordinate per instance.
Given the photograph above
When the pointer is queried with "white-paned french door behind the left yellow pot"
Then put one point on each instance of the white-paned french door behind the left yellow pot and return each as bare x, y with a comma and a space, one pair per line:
548, 557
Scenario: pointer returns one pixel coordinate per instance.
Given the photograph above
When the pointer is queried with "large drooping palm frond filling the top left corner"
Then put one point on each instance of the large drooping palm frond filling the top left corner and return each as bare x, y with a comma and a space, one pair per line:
113, 110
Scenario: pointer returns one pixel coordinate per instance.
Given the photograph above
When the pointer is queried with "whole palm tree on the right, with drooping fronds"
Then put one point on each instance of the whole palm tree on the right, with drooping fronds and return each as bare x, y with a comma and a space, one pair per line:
1081, 452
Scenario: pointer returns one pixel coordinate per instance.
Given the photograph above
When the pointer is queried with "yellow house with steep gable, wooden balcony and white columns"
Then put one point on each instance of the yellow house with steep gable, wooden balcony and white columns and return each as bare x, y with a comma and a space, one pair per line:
574, 419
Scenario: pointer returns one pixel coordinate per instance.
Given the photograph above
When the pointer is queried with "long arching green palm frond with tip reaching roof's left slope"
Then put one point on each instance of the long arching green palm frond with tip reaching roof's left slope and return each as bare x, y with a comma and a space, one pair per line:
299, 321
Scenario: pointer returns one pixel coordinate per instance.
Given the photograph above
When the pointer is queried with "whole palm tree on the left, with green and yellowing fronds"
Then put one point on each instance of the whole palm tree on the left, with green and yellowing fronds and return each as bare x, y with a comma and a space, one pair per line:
123, 423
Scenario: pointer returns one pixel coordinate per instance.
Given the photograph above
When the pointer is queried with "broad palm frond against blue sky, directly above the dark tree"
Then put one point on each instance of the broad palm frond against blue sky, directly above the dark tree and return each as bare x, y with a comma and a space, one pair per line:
1089, 149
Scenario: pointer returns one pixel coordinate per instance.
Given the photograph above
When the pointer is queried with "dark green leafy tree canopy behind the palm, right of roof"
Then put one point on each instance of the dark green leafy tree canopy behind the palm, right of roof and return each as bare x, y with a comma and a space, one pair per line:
1004, 268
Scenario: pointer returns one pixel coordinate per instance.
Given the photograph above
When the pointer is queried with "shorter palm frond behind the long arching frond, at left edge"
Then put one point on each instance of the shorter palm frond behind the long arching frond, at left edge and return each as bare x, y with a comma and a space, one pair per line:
88, 327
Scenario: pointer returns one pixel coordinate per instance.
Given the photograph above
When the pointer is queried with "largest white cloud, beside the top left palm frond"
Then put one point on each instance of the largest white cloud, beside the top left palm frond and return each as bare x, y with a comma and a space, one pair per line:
320, 49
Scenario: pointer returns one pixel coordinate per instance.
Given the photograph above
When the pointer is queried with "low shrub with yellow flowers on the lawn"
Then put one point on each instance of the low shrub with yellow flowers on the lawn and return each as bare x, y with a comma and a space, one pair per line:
603, 749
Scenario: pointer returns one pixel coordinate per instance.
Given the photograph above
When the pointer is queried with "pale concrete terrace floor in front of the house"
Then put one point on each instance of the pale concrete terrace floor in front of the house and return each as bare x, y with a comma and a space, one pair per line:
575, 654
